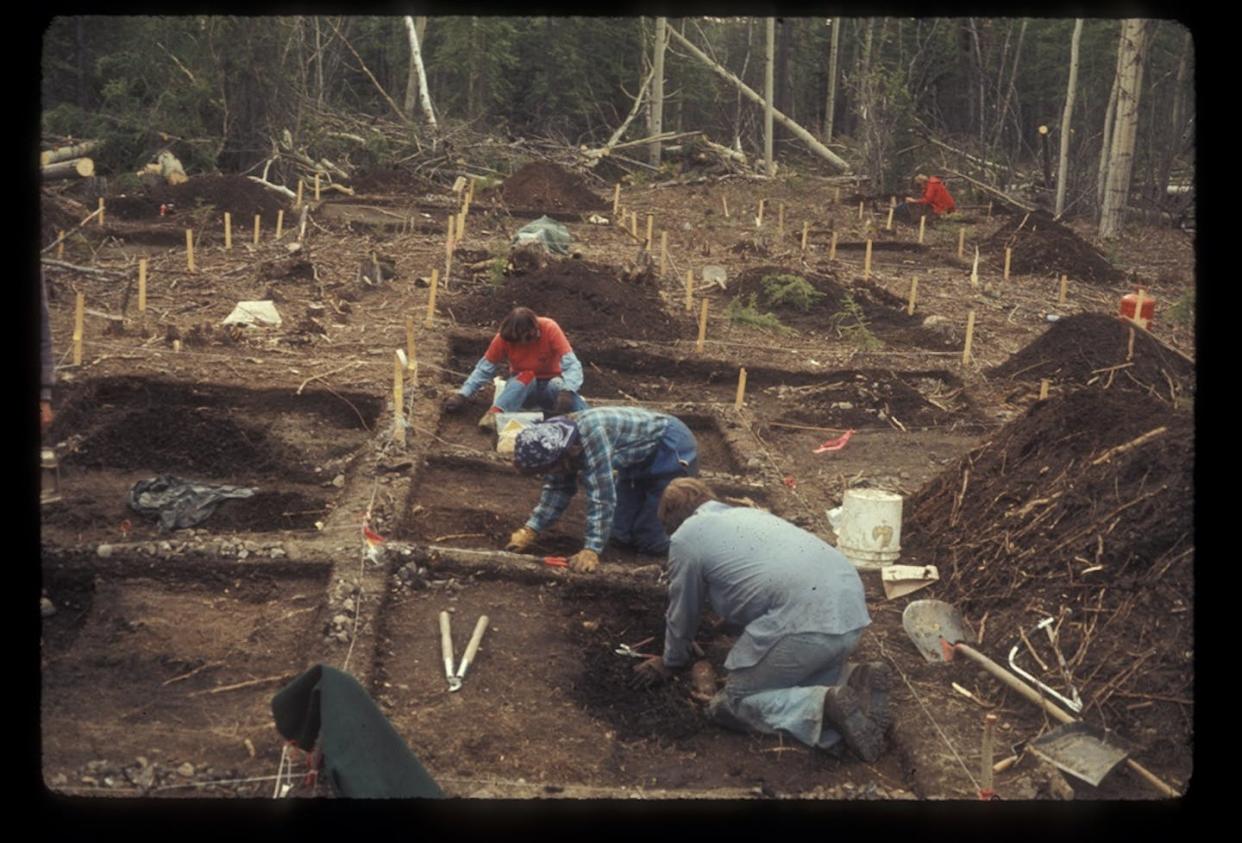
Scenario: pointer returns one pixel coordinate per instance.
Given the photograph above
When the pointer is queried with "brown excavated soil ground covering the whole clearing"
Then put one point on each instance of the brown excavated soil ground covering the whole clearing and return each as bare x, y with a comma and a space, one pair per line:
163, 651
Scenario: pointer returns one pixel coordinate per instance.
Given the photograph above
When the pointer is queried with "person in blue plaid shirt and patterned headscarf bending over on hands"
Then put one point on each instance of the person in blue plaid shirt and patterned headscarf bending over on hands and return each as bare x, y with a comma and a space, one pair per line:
624, 459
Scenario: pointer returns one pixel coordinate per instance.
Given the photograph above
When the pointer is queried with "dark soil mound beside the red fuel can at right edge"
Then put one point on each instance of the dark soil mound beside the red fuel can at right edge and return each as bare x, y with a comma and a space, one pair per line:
1090, 347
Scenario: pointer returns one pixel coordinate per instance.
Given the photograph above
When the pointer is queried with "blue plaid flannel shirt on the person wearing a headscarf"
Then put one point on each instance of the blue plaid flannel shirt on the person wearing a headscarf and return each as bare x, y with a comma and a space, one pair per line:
613, 439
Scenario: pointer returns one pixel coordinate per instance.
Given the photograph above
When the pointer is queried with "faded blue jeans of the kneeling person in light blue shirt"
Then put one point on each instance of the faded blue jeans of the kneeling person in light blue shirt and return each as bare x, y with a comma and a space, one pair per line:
784, 692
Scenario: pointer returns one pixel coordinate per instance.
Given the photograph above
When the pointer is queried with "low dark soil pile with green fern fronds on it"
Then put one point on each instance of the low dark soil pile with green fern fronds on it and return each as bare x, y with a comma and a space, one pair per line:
884, 313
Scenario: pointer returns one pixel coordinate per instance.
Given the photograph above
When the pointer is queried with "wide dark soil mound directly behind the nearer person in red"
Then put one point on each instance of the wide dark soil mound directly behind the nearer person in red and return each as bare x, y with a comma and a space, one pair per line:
582, 297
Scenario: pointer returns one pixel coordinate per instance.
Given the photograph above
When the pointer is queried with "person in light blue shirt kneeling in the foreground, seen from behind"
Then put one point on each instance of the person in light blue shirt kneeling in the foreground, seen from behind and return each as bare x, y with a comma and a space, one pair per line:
802, 608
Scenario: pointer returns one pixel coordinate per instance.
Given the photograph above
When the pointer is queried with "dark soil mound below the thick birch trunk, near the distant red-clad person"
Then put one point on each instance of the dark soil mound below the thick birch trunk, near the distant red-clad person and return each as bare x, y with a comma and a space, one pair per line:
1043, 248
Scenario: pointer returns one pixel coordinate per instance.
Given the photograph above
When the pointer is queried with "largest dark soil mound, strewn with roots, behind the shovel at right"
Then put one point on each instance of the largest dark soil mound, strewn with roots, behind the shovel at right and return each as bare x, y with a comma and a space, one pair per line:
1051, 517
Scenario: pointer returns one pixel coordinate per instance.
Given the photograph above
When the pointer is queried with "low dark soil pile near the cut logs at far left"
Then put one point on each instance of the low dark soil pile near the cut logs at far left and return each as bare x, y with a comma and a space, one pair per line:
235, 194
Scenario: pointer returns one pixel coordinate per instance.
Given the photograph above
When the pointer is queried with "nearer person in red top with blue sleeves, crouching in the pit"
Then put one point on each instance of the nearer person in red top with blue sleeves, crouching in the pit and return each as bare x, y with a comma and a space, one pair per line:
545, 374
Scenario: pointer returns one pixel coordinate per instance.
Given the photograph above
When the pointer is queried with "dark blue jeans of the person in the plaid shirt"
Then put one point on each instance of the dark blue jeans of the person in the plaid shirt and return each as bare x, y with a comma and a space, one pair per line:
639, 490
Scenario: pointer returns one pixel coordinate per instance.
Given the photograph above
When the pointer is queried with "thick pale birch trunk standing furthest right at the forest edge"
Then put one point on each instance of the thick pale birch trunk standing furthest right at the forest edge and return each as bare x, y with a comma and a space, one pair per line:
1132, 54
